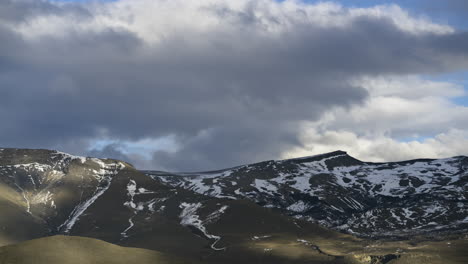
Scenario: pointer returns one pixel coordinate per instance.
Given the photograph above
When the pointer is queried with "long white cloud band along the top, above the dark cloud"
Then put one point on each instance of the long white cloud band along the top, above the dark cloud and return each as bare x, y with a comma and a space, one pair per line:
156, 20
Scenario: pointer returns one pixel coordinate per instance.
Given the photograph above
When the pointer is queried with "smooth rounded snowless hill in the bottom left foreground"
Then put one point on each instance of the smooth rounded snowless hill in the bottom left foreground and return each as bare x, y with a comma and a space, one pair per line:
79, 250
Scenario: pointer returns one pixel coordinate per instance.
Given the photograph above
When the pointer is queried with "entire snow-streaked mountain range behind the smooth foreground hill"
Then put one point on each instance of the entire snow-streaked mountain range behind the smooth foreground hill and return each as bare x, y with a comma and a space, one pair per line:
329, 208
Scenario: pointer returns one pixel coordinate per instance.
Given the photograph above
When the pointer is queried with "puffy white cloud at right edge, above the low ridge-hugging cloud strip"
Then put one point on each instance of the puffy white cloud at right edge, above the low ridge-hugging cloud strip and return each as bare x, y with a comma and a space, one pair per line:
399, 117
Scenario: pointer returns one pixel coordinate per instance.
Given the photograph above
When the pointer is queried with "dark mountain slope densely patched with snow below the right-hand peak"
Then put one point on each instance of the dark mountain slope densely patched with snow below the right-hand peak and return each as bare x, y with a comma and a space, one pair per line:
343, 193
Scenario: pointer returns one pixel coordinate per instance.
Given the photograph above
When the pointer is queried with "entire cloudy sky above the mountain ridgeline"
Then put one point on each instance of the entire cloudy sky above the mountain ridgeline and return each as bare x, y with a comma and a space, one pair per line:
191, 85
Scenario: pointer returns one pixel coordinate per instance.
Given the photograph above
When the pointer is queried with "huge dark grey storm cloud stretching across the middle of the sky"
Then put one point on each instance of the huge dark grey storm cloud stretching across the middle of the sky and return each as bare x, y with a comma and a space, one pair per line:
229, 97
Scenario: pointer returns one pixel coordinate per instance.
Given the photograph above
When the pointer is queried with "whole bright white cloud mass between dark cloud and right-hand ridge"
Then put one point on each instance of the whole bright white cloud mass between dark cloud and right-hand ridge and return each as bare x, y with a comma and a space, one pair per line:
405, 117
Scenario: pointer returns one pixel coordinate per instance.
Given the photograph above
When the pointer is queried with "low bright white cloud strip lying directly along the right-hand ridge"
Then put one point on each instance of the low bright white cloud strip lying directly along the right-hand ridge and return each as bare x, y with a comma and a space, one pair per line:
381, 148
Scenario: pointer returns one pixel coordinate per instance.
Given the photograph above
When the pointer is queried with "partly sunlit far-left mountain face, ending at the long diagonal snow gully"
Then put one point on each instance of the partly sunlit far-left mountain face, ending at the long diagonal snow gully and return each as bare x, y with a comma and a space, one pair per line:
54, 188
